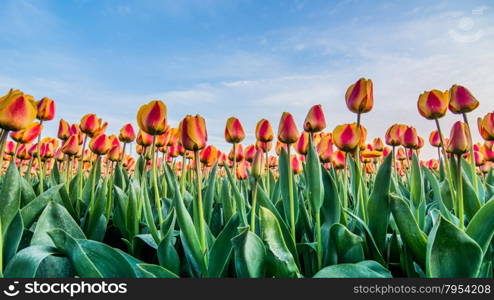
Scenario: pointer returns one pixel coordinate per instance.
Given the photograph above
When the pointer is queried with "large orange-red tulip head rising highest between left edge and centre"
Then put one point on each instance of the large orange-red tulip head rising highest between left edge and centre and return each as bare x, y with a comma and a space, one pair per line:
151, 117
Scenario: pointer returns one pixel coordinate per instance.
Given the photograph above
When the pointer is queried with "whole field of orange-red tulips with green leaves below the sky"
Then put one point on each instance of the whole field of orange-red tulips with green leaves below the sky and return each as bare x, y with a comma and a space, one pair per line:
304, 201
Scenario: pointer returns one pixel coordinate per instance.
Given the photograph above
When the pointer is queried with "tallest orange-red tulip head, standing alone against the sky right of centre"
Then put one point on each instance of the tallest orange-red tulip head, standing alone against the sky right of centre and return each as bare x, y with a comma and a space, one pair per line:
359, 96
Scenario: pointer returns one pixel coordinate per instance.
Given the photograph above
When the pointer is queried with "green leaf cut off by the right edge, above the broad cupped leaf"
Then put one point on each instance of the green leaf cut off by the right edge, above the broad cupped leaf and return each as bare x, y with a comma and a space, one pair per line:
481, 227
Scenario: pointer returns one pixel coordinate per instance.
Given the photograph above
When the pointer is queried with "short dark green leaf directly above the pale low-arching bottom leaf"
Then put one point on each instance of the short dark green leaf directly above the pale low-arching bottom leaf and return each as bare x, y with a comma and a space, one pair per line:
349, 246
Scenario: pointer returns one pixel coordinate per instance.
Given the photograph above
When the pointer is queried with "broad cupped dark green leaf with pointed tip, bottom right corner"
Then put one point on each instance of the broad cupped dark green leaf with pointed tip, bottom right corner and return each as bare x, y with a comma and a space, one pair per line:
451, 253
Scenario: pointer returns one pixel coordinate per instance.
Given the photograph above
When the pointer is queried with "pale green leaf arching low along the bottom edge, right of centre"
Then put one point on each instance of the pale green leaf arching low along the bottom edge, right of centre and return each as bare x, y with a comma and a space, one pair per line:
364, 269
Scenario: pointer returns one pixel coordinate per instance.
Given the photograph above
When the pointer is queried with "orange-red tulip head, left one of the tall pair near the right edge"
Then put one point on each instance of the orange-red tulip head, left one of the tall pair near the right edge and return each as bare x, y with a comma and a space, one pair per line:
433, 104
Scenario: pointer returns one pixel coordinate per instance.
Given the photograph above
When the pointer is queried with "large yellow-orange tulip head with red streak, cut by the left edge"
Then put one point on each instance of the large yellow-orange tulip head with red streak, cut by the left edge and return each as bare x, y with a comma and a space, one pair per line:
17, 110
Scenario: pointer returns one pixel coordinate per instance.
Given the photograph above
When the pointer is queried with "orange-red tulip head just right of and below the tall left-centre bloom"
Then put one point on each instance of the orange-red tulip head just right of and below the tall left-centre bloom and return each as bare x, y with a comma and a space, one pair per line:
193, 133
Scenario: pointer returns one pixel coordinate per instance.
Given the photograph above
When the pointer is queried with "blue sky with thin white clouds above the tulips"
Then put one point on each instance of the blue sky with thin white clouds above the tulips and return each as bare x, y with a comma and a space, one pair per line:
249, 59
